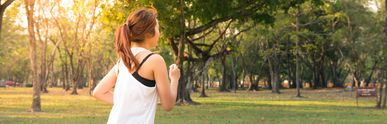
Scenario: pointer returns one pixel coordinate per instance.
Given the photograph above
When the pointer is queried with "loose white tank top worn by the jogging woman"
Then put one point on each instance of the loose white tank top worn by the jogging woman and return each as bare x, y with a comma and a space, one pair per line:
133, 102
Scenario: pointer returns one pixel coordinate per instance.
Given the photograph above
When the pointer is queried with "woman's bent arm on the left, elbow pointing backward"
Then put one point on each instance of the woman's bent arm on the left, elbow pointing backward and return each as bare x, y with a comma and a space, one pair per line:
102, 90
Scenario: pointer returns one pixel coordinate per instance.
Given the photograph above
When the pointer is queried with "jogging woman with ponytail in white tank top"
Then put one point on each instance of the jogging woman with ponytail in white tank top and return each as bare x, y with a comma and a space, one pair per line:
139, 77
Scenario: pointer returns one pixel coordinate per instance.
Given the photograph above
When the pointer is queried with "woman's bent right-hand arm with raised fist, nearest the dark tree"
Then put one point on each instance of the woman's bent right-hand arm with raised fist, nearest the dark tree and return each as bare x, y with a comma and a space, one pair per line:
166, 91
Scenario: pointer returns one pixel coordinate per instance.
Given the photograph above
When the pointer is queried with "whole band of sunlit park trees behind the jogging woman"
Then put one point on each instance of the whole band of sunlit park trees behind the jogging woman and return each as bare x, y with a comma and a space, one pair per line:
229, 45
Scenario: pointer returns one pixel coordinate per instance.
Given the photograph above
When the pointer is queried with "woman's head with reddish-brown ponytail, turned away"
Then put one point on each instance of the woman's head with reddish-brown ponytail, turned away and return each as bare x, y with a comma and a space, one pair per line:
141, 27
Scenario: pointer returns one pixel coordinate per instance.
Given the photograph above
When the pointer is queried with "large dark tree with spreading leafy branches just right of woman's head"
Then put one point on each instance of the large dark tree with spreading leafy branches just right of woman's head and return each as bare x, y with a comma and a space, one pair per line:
206, 17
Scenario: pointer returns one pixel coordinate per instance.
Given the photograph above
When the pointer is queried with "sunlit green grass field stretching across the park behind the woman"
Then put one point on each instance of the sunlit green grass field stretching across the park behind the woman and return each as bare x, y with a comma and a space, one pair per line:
262, 107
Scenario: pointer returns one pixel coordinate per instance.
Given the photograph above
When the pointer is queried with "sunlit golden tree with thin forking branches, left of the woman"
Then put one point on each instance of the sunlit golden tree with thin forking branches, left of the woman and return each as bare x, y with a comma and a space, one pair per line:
75, 38
